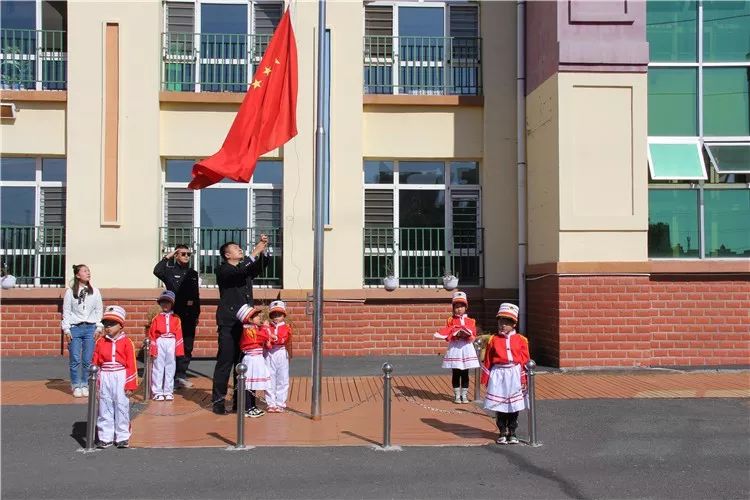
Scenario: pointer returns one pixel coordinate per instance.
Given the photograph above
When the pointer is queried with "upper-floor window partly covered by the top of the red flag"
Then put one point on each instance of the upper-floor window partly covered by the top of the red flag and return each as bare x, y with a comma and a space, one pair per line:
215, 46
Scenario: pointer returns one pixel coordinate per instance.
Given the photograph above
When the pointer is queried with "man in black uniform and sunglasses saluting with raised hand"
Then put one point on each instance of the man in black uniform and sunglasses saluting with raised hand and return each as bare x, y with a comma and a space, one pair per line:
180, 278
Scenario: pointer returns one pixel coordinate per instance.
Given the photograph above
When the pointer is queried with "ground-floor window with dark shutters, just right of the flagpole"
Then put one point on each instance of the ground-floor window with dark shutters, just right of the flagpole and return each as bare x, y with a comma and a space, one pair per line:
422, 219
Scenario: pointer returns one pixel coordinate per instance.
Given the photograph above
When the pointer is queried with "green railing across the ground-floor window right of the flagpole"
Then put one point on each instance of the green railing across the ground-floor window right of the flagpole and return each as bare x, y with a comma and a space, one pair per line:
421, 256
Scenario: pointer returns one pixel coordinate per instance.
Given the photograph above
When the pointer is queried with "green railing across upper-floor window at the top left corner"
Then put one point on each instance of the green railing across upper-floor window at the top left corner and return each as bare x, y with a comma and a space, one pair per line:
33, 59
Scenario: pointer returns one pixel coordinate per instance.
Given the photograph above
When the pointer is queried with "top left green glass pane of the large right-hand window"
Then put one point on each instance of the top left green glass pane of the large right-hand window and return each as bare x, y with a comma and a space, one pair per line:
672, 30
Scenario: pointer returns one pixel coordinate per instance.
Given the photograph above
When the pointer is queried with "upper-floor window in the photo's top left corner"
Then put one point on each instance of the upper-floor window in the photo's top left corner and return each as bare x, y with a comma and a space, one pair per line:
33, 45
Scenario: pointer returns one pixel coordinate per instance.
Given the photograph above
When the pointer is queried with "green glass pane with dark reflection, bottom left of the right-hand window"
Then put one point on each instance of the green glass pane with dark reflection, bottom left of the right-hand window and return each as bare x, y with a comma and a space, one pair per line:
673, 223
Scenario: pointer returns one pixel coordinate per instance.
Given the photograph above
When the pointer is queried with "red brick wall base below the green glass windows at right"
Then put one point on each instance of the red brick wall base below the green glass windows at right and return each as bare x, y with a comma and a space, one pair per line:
656, 320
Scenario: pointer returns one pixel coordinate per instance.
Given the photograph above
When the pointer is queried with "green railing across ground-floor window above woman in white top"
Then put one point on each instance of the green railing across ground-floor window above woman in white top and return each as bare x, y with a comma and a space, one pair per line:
35, 255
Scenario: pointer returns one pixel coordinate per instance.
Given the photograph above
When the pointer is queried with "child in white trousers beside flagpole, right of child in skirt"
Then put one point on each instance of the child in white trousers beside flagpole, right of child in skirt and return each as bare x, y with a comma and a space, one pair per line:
277, 358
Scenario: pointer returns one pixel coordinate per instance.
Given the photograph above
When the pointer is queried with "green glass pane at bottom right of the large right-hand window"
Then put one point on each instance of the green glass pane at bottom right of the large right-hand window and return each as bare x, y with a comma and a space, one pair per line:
727, 222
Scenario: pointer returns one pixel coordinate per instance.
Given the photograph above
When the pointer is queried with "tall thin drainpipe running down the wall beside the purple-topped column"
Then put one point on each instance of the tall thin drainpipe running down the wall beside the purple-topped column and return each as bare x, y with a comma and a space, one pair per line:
521, 156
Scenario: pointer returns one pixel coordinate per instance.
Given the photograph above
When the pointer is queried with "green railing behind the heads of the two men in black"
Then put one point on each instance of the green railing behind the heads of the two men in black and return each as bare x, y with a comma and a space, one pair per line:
205, 244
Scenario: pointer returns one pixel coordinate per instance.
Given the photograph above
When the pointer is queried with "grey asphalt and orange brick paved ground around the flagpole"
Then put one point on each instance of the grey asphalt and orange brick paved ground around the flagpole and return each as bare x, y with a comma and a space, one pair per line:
640, 434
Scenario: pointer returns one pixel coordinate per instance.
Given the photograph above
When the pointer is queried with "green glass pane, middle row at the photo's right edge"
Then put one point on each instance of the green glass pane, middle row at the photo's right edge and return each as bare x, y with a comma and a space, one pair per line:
726, 101
